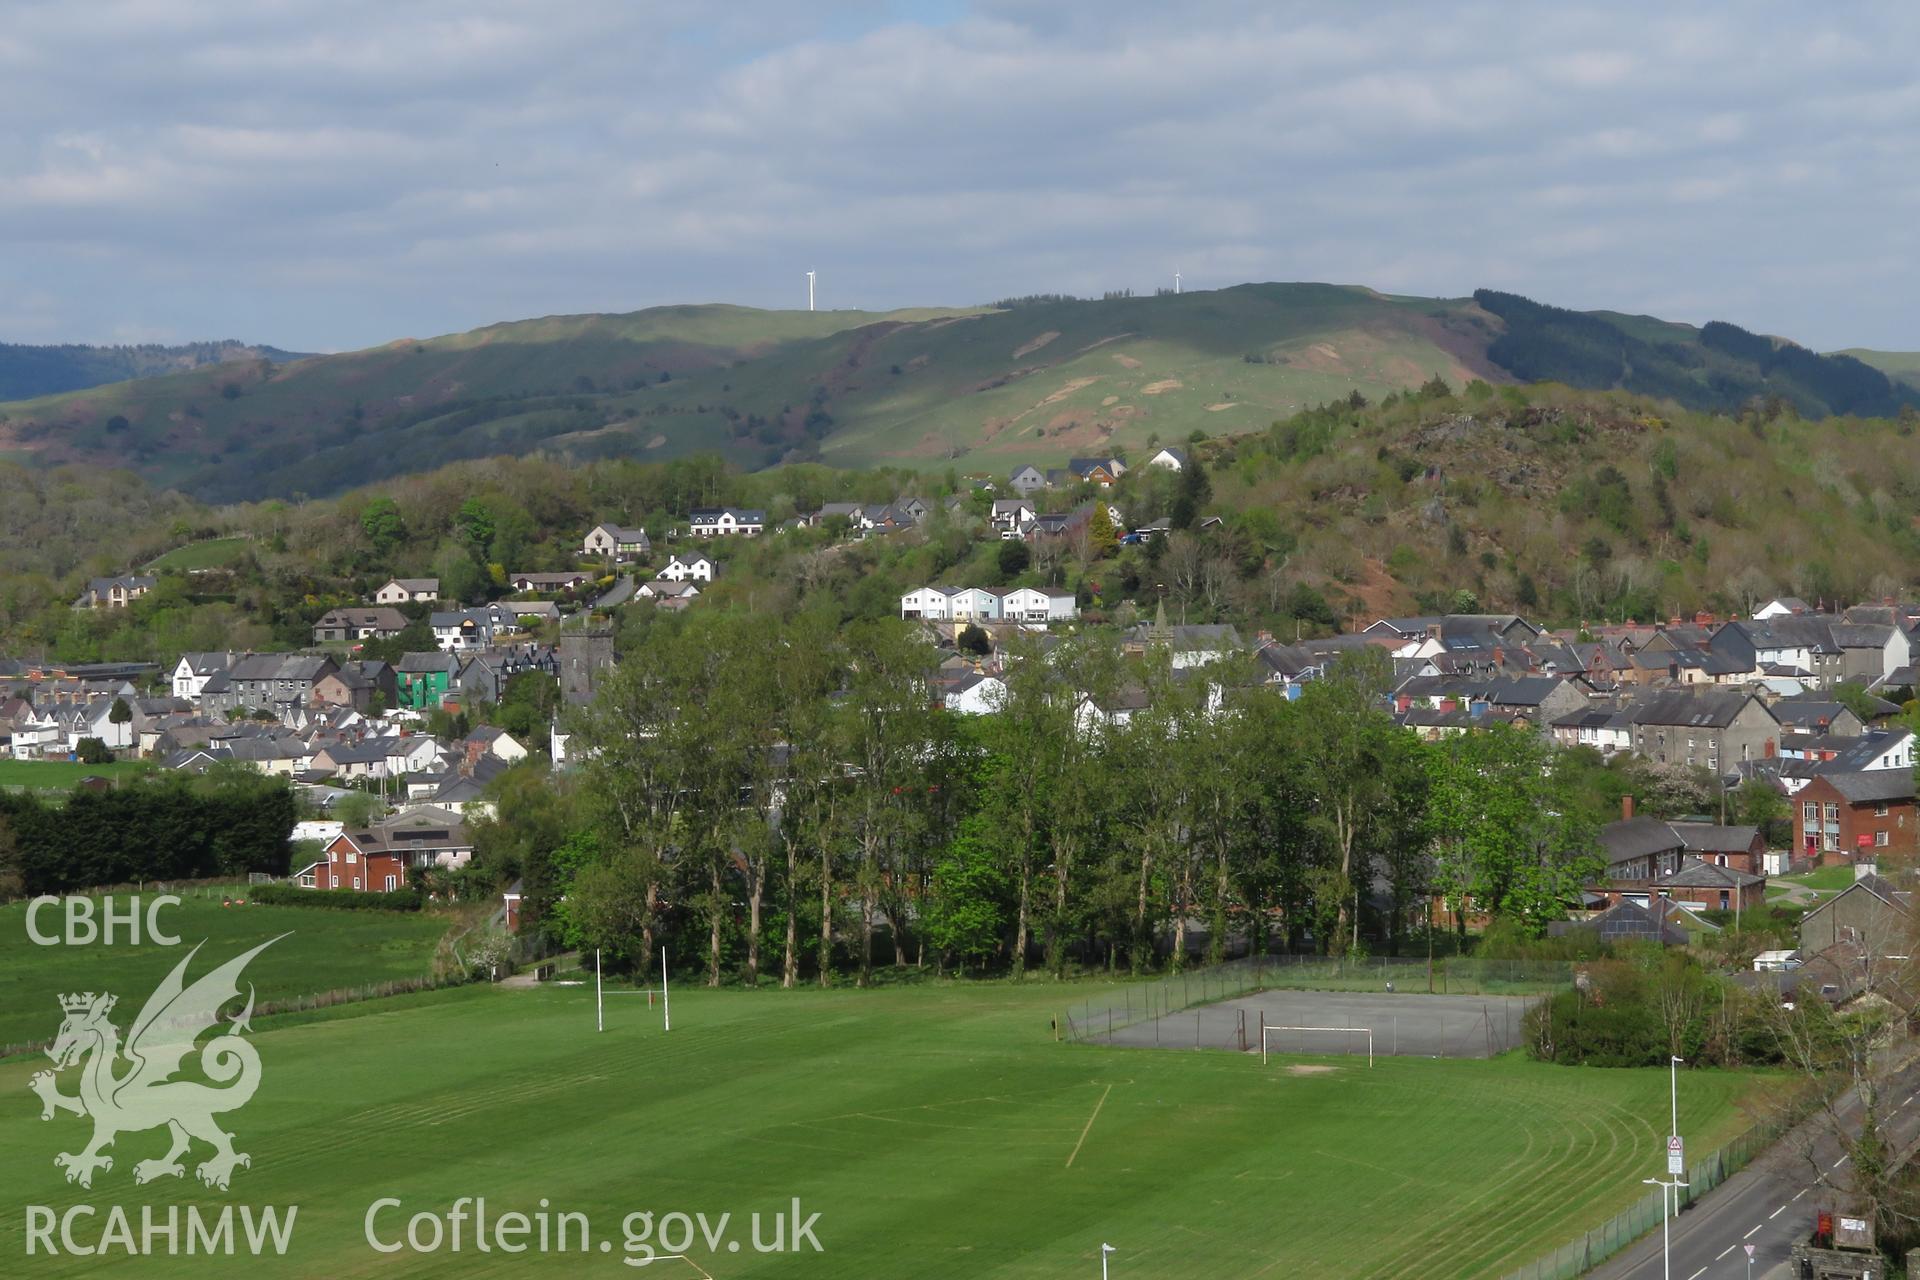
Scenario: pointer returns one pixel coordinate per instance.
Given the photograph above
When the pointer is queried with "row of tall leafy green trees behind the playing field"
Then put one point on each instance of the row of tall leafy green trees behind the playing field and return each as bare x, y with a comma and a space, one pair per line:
788, 797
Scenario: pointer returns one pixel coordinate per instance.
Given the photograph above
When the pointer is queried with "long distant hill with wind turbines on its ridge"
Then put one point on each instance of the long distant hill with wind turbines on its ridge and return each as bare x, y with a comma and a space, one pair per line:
978, 389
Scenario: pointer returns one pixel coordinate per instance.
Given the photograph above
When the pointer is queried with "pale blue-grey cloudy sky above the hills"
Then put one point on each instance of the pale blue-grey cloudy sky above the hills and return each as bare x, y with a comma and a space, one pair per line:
325, 176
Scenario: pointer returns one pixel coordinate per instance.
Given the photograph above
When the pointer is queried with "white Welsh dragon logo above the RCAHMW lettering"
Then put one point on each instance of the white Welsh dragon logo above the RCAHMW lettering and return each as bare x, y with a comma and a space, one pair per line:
147, 1095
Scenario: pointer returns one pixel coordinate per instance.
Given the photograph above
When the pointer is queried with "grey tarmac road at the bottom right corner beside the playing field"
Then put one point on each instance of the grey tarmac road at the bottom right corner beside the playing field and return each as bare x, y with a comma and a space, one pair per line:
1769, 1204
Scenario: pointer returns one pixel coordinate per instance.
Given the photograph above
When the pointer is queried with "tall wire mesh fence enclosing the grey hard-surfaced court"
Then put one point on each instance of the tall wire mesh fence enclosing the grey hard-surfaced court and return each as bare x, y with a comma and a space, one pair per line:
1460, 976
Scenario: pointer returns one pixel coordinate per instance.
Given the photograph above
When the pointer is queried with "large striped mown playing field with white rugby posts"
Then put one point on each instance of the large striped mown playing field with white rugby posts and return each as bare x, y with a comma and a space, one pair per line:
936, 1131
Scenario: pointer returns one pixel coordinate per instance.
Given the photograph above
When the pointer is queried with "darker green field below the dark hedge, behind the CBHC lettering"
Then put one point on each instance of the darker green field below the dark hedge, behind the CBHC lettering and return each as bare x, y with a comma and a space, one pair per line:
325, 951
